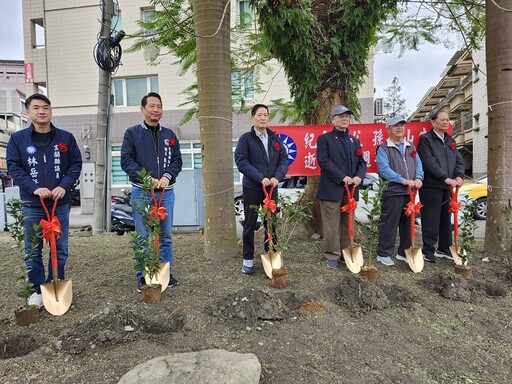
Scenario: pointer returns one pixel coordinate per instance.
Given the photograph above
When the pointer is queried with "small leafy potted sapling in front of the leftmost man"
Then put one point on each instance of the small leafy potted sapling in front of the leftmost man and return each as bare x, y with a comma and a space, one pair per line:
17, 232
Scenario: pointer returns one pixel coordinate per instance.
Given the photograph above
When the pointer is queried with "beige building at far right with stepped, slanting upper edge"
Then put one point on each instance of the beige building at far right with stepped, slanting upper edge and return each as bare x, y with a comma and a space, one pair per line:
462, 92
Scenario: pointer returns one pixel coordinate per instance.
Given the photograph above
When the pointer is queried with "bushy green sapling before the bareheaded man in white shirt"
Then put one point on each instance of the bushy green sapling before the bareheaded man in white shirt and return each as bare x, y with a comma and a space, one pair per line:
286, 220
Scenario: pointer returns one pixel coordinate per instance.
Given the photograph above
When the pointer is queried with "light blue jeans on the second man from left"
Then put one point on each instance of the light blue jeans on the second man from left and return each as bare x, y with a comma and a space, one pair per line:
165, 225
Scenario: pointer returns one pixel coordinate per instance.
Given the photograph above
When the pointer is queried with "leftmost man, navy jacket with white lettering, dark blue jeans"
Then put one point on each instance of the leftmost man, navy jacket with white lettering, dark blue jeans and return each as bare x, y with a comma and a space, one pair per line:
45, 162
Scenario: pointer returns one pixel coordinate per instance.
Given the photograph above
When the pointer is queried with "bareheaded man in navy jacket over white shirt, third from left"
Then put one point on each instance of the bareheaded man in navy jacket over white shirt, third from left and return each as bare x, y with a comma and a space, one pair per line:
262, 158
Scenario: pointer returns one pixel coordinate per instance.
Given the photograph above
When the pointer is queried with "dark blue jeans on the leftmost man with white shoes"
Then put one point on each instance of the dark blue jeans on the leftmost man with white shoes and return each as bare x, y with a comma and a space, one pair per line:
34, 262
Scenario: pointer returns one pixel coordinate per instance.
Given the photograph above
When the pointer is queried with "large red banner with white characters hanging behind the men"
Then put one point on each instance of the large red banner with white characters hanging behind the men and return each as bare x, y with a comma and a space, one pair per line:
300, 142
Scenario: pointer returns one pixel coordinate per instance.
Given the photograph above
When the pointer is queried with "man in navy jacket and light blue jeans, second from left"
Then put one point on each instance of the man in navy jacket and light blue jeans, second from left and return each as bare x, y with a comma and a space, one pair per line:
156, 149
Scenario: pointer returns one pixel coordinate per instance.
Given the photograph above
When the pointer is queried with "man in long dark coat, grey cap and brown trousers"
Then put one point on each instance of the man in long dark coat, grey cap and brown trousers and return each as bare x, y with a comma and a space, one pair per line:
341, 162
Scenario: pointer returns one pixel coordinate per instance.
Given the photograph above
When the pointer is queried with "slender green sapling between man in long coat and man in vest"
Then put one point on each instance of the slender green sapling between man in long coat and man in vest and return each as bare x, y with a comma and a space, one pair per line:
373, 210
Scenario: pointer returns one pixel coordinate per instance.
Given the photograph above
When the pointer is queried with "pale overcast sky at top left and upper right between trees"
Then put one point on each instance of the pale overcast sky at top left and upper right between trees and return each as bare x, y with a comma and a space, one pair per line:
416, 71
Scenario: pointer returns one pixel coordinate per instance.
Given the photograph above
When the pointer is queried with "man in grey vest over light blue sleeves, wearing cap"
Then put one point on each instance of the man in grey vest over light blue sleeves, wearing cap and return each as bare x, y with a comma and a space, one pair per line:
399, 164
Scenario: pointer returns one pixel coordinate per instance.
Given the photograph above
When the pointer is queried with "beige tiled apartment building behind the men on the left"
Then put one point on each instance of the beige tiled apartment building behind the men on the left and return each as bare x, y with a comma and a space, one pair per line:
59, 39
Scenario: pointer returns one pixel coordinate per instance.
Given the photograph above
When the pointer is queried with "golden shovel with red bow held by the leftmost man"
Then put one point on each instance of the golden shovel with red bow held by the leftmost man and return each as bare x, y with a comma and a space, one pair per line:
58, 294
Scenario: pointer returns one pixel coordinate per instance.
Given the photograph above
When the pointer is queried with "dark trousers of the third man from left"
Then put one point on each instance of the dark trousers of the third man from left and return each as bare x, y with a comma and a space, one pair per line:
254, 197
